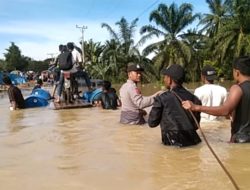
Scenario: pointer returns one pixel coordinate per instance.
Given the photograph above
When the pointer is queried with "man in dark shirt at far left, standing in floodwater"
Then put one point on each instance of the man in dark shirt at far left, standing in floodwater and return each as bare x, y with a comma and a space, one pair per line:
14, 93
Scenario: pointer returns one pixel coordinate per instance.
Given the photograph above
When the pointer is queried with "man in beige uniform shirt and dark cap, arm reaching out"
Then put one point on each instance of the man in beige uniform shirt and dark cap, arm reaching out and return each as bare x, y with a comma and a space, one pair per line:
132, 100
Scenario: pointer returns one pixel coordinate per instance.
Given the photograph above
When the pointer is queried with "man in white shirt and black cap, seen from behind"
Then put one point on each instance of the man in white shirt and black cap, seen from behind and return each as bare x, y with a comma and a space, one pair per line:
210, 94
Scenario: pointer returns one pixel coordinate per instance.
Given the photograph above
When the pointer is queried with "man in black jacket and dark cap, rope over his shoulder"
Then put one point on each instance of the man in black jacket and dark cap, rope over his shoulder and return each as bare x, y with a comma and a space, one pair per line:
177, 125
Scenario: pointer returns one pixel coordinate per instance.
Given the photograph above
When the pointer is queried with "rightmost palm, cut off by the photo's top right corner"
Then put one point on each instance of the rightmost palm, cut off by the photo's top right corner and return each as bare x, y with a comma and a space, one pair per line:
233, 38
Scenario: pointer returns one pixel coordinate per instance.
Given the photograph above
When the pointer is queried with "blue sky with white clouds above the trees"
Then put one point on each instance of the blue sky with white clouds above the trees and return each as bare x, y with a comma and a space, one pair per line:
37, 27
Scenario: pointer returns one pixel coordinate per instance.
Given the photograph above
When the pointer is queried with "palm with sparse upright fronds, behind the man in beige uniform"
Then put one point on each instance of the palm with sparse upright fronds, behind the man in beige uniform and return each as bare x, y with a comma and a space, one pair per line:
121, 49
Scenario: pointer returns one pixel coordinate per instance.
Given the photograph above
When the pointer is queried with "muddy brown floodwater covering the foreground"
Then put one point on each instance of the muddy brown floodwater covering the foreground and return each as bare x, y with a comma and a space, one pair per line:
87, 149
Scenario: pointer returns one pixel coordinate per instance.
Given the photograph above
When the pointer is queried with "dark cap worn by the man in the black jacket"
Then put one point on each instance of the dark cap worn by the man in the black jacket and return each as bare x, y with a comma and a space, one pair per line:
176, 72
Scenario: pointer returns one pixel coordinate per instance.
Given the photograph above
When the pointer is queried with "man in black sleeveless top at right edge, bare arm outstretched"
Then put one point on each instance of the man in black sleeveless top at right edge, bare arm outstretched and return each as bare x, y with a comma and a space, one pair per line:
237, 104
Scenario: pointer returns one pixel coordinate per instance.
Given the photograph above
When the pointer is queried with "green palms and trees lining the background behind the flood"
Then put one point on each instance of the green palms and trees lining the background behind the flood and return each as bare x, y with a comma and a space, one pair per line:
220, 36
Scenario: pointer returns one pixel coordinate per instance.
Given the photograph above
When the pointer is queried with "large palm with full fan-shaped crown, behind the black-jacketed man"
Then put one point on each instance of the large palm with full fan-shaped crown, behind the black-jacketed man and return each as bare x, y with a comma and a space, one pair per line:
170, 22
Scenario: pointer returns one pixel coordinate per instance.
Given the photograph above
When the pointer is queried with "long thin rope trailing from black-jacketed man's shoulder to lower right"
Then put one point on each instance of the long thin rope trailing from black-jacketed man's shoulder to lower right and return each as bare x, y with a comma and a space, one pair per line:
210, 148
